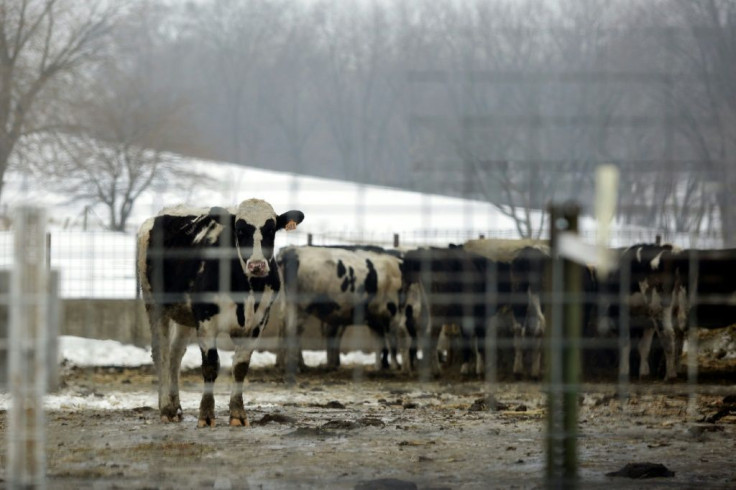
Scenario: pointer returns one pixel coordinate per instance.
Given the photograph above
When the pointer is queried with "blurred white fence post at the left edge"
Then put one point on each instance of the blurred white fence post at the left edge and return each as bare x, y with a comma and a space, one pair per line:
28, 341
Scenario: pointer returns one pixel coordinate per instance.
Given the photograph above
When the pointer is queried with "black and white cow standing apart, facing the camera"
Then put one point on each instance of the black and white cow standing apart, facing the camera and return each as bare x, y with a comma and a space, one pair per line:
207, 271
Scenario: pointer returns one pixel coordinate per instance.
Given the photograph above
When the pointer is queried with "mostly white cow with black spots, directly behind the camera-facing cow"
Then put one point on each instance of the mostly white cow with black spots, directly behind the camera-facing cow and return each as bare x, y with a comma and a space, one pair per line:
344, 286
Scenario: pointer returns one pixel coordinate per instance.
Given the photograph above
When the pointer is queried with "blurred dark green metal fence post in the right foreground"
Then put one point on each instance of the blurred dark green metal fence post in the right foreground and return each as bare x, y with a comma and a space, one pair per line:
563, 355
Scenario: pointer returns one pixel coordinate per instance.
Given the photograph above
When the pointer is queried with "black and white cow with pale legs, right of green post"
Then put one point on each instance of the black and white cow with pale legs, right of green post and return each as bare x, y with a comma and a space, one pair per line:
650, 285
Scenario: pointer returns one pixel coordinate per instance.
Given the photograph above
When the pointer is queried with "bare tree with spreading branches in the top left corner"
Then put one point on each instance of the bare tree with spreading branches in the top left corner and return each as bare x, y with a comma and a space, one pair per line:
41, 42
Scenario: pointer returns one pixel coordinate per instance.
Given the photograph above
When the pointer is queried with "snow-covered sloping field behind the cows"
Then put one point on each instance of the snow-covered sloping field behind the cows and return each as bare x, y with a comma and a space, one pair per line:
100, 264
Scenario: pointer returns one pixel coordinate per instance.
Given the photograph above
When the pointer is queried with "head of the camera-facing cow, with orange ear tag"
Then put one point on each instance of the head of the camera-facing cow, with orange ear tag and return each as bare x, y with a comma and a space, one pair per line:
256, 224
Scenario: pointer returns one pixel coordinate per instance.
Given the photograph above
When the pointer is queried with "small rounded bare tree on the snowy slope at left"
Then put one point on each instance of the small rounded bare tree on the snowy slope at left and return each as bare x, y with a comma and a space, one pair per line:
113, 146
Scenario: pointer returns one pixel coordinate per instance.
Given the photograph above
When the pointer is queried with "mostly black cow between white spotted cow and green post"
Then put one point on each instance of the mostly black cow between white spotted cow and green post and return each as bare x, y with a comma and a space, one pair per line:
467, 289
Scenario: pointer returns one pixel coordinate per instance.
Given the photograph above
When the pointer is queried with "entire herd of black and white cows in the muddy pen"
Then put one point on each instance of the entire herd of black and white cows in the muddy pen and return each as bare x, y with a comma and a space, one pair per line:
206, 271
